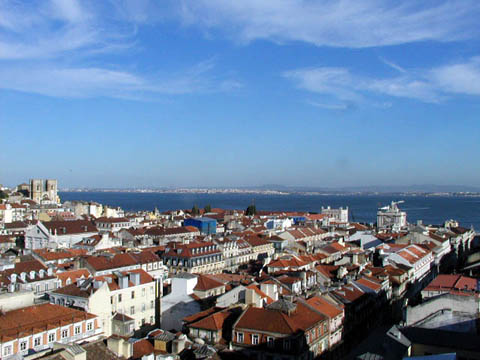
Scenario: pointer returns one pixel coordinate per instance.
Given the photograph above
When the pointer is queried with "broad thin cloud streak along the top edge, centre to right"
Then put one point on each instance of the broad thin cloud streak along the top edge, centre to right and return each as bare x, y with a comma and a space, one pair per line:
338, 23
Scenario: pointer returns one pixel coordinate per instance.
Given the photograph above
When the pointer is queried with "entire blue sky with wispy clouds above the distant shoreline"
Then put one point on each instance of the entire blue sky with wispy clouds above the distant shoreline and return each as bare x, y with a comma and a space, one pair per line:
176, 93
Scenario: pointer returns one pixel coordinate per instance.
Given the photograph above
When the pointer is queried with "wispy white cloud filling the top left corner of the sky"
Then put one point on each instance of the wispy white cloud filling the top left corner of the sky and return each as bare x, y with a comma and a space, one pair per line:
51, 29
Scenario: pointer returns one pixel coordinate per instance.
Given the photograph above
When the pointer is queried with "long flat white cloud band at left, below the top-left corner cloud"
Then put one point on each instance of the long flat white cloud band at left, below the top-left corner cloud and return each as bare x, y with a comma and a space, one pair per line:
94, 82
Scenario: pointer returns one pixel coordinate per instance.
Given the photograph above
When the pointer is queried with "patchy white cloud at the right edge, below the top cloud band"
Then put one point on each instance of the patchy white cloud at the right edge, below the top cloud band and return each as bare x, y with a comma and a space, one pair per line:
431, 86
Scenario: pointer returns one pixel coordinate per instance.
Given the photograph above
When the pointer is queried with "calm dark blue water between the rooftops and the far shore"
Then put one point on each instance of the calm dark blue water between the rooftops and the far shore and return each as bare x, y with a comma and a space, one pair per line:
432, 210
